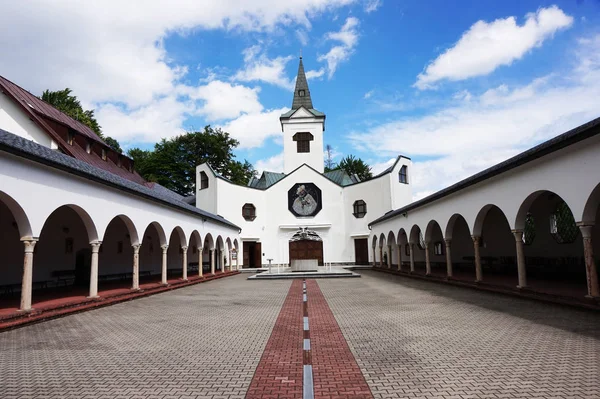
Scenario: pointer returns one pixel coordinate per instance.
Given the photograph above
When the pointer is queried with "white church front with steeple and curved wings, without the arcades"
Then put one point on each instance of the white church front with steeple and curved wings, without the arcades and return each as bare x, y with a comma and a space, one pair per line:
334, 205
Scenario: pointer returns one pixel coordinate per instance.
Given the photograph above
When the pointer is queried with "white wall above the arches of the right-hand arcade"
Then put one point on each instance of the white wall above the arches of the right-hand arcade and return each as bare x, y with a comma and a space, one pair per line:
571, 173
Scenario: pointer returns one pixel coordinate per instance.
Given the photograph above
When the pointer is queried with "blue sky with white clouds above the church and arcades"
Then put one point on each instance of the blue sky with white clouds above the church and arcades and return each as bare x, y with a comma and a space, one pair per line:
456, 86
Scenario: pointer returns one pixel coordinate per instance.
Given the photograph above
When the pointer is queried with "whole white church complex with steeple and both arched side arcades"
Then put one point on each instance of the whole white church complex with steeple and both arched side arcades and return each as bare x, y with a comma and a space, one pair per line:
79, 224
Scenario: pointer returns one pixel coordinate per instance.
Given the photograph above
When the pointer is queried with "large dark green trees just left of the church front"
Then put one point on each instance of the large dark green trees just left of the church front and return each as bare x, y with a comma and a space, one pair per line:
173, 162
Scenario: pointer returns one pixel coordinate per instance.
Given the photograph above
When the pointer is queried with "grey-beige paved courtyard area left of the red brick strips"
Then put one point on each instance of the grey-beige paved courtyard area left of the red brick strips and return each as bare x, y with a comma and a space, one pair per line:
203, 341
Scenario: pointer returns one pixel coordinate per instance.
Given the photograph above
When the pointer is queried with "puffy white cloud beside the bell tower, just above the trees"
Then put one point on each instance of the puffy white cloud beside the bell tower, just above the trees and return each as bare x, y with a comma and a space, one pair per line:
253, 129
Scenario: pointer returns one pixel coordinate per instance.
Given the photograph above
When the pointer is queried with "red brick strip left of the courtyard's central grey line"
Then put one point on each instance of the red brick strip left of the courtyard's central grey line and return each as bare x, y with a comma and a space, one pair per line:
279, 373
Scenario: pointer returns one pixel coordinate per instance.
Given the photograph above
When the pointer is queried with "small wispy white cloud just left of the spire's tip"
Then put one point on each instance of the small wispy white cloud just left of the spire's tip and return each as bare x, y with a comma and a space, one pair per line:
258, 67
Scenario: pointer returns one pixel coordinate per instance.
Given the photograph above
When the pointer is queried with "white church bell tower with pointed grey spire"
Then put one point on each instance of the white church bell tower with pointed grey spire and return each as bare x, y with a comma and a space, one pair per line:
303, 128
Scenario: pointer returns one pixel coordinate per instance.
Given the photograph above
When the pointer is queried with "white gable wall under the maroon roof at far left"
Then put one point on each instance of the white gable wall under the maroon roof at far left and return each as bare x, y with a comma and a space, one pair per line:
14, 120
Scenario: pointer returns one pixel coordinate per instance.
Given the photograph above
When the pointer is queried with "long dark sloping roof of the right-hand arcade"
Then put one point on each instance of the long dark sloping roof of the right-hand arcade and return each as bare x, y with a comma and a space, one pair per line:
585, 131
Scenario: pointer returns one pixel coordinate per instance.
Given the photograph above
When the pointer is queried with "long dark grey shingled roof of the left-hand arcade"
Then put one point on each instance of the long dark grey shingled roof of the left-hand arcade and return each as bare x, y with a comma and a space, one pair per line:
27, 149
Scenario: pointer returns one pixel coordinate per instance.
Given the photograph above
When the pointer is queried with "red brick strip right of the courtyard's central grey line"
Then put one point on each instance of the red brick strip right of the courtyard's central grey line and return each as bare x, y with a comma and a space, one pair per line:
335, 371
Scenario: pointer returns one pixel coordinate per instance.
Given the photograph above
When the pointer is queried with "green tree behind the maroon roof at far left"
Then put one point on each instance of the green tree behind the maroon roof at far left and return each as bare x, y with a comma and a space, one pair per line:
68, 104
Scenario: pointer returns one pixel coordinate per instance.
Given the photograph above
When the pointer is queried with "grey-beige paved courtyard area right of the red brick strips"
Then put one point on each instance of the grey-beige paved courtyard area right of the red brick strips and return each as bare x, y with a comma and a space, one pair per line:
416, 339
